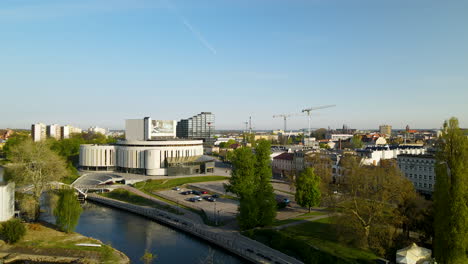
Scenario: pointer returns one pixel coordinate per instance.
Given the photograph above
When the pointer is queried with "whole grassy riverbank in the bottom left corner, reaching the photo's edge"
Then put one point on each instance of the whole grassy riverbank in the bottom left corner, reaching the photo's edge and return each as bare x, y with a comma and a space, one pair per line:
42, 243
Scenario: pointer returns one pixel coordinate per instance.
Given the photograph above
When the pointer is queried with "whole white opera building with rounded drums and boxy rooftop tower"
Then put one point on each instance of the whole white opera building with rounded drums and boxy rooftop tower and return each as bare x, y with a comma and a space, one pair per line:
151, 148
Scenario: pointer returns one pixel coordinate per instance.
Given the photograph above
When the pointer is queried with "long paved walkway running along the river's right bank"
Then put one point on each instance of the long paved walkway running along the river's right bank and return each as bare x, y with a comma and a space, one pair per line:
232, 241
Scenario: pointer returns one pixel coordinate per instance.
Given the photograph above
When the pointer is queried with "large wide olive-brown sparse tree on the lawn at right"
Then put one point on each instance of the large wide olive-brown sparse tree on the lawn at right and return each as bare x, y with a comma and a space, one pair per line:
371, 195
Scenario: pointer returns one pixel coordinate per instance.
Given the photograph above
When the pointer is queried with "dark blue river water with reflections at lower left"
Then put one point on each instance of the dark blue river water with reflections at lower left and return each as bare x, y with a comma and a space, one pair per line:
133, 234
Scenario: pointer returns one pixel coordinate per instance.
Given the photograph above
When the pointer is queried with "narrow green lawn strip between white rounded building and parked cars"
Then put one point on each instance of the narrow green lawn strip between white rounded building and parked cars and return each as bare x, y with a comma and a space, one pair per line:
156, 185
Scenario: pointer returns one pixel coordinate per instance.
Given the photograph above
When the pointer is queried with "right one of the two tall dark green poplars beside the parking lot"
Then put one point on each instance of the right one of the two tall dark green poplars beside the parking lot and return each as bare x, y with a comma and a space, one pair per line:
265, 194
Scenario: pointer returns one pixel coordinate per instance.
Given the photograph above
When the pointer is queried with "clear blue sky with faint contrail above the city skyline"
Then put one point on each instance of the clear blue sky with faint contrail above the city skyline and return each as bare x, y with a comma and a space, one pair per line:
98, 62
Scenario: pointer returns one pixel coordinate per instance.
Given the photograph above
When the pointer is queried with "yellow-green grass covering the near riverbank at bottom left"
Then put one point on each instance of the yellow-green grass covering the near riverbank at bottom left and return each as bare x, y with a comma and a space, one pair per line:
49, 240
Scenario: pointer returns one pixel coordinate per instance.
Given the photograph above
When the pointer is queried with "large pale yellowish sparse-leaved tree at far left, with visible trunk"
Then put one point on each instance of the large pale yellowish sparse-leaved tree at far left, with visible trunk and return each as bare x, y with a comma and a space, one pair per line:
35, 164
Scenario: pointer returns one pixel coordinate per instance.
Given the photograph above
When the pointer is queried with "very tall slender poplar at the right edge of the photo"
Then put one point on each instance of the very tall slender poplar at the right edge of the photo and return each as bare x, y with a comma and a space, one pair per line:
450, 195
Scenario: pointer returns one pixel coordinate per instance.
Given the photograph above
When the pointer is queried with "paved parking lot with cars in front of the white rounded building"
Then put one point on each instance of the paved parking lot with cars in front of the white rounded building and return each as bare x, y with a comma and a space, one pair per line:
222, 210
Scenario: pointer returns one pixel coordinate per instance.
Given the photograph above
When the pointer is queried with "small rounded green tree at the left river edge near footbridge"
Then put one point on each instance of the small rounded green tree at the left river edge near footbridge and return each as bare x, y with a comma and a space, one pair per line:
68, 210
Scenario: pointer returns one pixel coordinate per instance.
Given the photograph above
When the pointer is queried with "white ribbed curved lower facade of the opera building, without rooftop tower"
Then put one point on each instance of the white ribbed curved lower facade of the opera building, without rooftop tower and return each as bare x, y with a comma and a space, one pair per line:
148, 157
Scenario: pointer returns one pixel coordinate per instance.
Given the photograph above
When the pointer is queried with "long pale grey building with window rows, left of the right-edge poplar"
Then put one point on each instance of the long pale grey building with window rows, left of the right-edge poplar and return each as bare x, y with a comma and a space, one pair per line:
420, 170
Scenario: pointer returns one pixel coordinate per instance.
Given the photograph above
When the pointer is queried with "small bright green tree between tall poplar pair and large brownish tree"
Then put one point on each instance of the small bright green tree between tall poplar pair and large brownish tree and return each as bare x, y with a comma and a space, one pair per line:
308, 189
